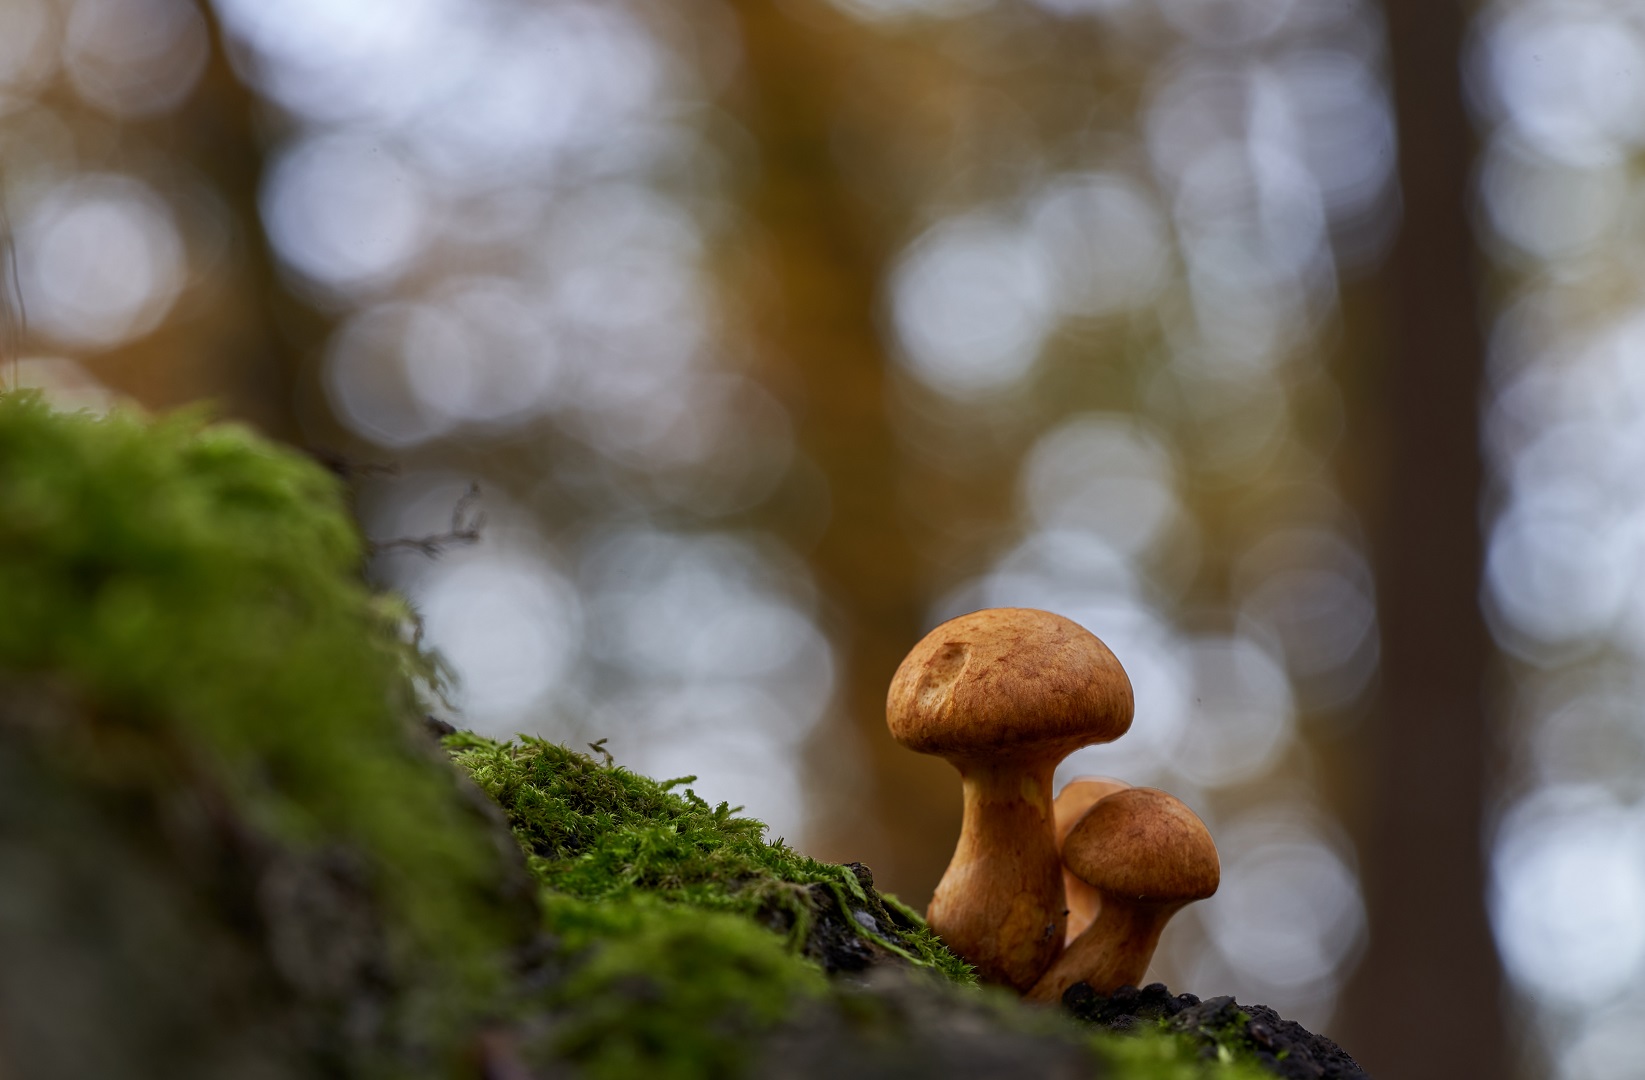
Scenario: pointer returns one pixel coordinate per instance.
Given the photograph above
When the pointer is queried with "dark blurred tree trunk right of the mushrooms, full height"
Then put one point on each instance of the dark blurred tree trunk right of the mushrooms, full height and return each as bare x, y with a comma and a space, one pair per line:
1427, 1000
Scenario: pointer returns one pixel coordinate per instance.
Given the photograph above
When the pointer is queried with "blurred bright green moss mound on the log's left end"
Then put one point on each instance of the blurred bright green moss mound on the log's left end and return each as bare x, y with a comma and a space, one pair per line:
198, 589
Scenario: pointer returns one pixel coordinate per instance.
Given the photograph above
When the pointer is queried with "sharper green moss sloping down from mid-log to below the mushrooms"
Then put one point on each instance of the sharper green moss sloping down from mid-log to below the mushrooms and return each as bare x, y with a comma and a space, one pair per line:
685, 930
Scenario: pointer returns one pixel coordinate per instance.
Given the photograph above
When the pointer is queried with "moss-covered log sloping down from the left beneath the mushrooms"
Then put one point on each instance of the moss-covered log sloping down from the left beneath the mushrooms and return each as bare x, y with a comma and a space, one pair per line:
229, 844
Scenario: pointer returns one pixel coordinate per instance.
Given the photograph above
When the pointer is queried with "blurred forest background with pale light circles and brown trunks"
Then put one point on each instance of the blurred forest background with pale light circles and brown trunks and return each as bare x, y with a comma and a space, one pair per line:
1295, 348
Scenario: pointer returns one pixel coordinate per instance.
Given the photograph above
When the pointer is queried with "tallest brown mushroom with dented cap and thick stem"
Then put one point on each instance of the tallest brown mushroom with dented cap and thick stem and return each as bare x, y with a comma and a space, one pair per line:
1004, 695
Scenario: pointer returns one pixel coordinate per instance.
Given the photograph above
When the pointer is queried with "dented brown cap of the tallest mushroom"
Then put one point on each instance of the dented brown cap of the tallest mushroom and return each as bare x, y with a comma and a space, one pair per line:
1009, 683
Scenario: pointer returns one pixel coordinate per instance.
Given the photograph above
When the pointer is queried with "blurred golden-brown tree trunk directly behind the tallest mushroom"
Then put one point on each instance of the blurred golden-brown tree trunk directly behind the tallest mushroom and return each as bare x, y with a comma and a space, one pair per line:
817, 264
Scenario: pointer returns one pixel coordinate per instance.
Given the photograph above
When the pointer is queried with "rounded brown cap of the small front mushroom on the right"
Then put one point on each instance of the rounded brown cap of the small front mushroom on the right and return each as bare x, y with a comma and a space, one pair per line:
1146, 847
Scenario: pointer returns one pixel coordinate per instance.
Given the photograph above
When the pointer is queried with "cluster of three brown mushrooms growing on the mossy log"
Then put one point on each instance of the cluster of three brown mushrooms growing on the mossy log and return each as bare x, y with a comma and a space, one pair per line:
1044, 895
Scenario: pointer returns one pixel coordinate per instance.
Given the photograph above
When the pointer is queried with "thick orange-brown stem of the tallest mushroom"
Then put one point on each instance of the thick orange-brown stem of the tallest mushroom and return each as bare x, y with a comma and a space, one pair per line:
1001, 902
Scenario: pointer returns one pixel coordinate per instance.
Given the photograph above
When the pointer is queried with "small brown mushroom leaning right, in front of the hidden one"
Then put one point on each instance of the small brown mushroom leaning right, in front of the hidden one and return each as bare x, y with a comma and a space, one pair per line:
1147, 856
